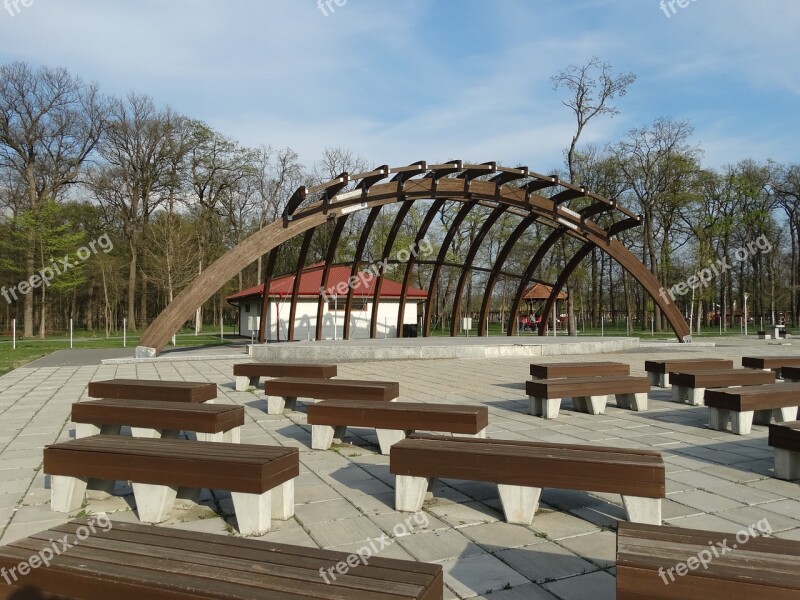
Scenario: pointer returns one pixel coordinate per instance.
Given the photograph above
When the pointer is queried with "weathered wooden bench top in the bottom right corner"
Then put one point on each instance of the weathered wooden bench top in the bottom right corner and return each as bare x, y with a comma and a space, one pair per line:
686, 564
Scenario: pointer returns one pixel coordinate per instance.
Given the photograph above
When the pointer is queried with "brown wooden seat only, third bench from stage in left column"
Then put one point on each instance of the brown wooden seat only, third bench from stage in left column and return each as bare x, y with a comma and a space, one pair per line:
245, 468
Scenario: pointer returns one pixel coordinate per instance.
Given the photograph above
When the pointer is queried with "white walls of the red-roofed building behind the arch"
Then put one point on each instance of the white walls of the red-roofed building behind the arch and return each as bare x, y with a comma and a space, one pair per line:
306, 319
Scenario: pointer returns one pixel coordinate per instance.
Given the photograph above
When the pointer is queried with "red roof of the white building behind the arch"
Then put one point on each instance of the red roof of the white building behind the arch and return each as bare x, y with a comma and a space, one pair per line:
311, 281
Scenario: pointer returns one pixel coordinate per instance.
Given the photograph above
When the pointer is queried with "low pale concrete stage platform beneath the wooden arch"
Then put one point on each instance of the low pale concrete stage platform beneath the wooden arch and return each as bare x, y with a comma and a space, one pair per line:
437, 347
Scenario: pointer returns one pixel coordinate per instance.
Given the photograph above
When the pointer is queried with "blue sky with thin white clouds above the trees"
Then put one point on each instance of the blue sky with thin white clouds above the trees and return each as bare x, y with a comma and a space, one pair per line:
397, 82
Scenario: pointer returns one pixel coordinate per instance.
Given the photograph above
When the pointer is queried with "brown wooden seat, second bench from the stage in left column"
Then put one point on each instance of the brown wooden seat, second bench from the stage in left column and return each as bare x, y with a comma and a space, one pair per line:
185, 416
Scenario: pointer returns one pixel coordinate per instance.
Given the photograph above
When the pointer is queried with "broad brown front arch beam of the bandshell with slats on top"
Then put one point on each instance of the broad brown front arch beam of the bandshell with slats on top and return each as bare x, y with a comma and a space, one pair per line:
467, 188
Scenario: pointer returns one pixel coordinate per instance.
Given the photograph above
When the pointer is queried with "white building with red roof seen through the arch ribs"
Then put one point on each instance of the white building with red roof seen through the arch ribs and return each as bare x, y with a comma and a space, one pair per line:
334, 298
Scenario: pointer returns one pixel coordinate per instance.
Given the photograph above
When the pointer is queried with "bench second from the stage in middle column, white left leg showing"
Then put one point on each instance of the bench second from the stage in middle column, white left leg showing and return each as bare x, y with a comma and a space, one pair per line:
283, 392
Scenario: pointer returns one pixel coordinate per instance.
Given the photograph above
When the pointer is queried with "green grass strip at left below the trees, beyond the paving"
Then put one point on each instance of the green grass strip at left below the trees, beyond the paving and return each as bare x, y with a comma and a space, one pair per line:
31, 349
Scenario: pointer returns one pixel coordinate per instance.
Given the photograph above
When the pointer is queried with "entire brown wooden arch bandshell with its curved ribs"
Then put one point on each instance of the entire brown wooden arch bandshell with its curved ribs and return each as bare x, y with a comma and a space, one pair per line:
533, 197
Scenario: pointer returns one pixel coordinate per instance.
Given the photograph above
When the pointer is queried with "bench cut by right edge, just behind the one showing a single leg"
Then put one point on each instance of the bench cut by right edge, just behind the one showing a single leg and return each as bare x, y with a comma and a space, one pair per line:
744, 406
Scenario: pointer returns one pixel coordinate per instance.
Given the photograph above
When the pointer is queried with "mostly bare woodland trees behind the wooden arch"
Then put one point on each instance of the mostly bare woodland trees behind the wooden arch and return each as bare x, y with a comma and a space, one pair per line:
174, 195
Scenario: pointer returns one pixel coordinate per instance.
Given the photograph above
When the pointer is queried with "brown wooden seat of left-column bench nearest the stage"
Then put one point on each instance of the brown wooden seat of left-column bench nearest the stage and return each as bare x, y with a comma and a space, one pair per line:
154, 389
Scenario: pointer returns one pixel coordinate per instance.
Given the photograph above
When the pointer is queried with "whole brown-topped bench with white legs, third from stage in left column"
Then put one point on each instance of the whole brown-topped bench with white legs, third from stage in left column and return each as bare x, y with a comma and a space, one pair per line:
259, 478
